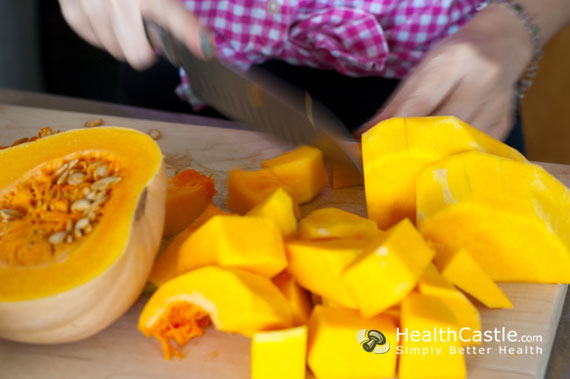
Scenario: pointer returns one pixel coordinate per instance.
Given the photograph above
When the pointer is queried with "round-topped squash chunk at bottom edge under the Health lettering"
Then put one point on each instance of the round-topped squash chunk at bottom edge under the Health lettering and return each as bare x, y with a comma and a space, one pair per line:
425, 315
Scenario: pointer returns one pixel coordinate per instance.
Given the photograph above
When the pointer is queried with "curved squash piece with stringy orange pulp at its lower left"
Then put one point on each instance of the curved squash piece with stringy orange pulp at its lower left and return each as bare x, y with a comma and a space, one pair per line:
233, 299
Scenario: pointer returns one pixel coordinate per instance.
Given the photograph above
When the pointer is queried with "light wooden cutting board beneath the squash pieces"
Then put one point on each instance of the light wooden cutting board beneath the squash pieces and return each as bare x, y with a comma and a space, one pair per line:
121, 351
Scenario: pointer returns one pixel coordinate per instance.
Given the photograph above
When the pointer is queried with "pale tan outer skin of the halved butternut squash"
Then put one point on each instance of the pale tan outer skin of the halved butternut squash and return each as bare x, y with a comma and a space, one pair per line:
86, 309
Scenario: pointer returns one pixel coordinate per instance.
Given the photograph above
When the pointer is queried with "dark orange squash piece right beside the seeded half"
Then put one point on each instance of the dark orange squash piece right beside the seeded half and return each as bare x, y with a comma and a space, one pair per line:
188, 194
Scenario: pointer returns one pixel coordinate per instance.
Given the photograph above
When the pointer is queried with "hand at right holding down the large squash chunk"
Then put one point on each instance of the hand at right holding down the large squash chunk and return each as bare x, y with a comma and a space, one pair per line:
470, 74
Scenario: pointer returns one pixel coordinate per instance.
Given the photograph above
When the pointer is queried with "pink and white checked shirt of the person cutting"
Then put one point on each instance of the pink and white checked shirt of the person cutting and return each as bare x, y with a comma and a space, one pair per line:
355, 37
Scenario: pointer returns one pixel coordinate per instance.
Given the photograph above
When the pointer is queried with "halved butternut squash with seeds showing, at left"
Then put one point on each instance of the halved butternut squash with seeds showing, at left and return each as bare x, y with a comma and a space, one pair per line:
82, 214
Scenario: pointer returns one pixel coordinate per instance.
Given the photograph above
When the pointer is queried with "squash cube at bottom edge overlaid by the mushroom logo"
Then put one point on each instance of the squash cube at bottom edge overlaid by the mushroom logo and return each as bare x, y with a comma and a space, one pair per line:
335, 349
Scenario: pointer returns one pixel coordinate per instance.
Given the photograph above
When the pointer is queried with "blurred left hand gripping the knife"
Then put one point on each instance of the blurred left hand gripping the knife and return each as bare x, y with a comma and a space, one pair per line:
117, 26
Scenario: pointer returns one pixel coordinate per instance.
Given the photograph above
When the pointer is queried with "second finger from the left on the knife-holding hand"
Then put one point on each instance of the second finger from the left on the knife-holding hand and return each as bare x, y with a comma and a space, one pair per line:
99, 16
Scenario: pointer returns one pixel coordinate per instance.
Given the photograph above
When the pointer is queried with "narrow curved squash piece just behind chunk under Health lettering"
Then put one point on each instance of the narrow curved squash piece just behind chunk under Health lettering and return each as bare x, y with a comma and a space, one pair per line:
433, 284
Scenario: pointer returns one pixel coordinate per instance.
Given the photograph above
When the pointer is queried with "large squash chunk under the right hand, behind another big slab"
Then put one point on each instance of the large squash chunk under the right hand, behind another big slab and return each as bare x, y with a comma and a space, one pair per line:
395, 151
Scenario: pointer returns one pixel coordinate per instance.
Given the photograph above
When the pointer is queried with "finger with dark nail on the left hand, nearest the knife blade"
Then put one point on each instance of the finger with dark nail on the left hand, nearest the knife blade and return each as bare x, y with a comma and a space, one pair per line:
172, 15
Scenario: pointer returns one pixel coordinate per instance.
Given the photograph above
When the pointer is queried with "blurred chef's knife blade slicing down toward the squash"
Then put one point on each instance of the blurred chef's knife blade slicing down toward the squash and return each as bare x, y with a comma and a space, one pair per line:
261, 101
